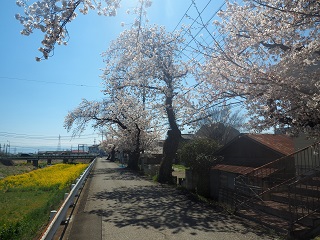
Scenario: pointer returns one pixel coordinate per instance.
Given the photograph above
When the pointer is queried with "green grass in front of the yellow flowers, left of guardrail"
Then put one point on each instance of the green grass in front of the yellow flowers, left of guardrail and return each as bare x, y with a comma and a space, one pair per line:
23, 214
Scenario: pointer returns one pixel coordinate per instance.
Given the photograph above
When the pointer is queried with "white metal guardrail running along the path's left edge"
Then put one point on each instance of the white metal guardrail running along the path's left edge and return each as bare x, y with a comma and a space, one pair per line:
60, 216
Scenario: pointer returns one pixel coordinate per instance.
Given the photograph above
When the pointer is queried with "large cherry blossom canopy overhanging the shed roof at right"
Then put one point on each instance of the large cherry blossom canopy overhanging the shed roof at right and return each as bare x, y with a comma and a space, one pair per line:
268, 58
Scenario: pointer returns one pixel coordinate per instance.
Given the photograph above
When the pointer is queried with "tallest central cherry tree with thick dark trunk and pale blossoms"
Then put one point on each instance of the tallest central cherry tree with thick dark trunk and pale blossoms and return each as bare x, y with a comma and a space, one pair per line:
146, 62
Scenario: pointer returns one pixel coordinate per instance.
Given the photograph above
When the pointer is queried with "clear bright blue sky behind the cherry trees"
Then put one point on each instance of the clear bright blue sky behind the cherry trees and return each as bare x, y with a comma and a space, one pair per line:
36, 96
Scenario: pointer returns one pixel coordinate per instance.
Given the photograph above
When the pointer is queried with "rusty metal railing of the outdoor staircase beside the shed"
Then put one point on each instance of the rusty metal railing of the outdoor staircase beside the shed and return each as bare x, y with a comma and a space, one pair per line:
292, 174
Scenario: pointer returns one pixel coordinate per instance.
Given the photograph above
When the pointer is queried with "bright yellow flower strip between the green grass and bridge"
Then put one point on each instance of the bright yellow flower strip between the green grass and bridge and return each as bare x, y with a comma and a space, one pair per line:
57, 176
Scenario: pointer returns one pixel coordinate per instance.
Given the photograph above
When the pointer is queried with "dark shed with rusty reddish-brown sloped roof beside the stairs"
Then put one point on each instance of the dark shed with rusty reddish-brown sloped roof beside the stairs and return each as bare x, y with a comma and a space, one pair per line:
245, 153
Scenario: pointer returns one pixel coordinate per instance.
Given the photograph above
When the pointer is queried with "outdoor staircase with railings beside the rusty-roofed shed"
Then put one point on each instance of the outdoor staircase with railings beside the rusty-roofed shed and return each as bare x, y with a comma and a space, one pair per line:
292, 208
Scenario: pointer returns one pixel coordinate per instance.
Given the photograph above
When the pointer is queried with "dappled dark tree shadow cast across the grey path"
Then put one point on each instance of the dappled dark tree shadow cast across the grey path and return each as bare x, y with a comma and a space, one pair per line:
162, 207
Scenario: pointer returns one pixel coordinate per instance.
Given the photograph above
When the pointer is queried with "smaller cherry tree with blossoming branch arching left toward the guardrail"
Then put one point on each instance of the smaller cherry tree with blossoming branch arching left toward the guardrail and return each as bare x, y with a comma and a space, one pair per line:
123, 117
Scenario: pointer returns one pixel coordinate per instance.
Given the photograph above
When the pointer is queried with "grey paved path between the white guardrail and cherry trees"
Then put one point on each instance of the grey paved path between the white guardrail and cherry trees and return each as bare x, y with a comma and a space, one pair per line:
117, 205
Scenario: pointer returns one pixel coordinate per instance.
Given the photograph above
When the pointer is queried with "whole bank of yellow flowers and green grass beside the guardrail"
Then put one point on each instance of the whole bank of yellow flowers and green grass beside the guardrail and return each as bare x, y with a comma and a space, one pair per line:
27, 199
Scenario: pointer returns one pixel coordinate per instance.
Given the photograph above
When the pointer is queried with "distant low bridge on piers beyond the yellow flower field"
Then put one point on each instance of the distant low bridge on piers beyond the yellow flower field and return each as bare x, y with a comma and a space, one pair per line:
7, 160
